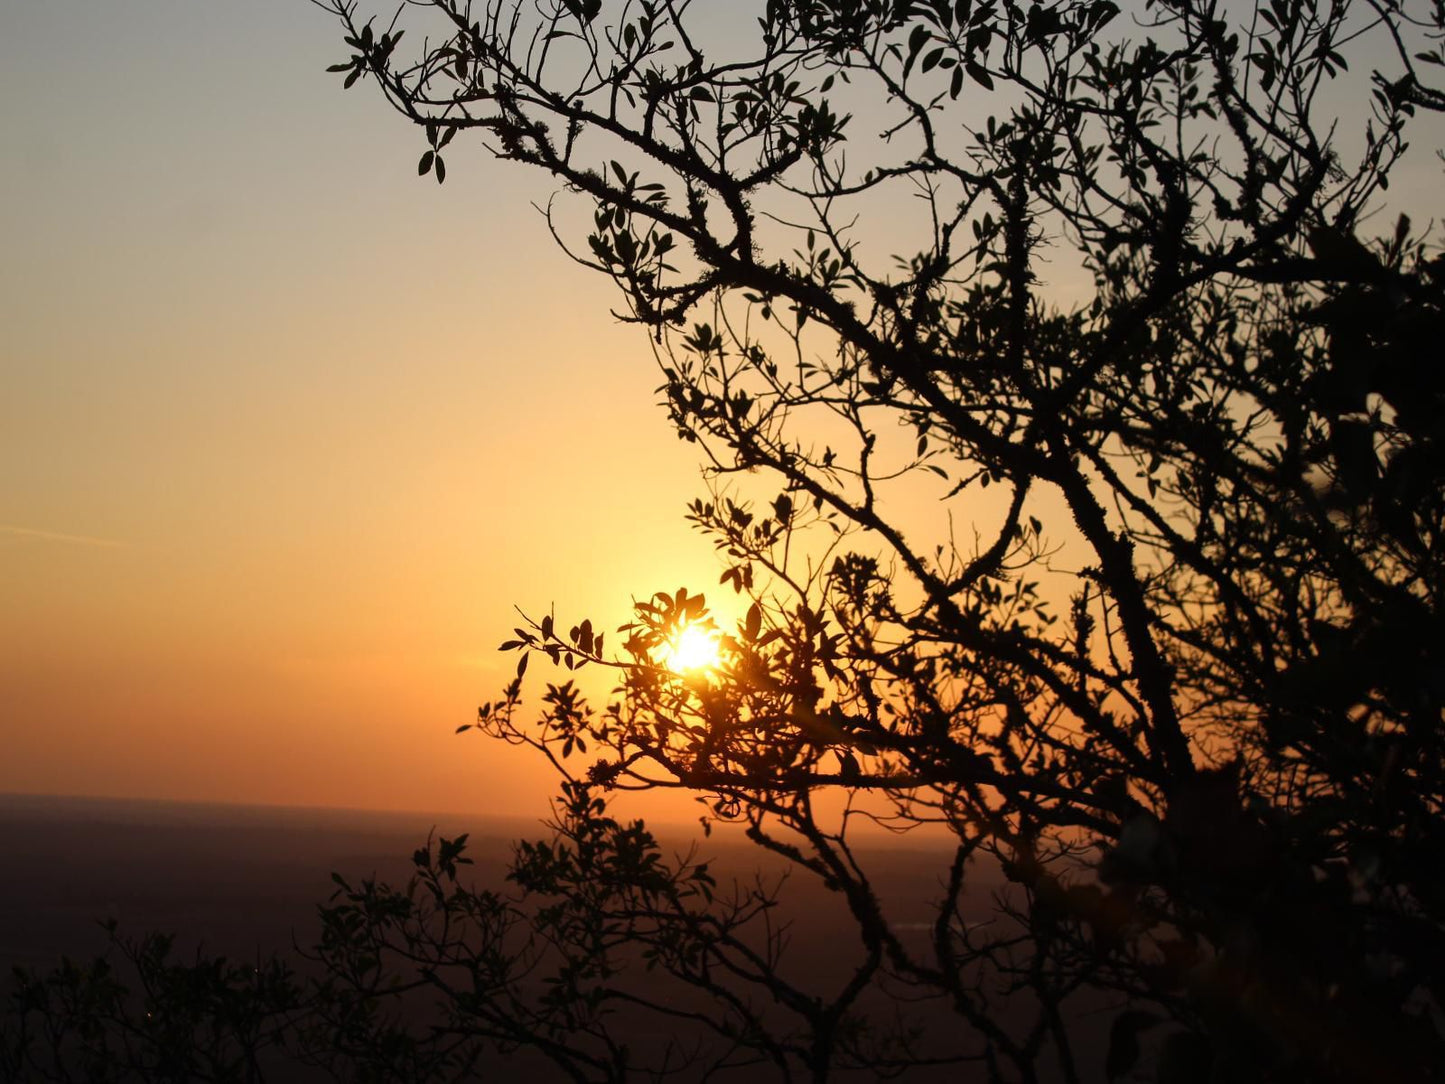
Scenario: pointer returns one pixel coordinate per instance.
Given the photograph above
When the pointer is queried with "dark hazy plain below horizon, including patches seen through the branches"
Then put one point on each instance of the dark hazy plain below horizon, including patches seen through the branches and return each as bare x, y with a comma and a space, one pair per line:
246, 882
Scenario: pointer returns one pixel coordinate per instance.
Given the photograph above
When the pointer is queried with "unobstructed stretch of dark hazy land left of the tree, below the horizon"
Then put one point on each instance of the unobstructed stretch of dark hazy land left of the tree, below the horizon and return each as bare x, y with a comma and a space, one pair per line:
232, 878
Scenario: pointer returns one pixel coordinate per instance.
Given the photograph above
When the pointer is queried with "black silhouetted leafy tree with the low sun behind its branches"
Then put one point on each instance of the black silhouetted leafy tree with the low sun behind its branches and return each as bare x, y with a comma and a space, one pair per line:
1097, 531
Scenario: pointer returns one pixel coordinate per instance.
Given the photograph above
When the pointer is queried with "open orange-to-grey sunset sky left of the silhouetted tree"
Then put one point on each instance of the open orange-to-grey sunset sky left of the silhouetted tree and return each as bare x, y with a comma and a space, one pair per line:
285, 431
